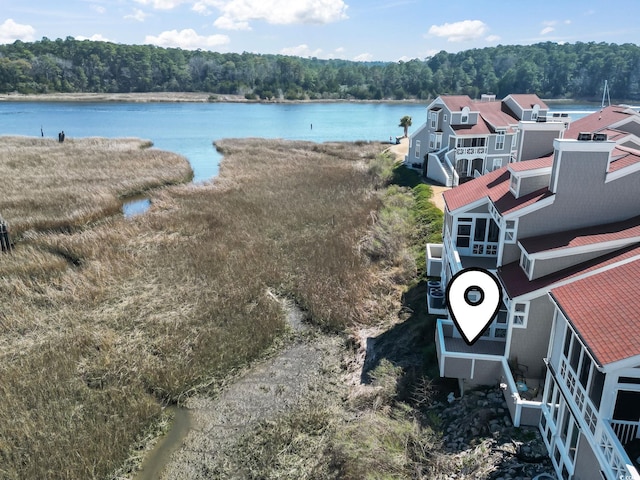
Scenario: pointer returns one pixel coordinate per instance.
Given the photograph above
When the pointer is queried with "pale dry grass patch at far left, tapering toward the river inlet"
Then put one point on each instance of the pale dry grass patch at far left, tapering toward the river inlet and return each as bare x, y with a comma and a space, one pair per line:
50, 185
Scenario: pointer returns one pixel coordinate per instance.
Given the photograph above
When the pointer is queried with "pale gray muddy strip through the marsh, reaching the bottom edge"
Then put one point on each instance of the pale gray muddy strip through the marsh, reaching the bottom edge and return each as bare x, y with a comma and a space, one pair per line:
265, 391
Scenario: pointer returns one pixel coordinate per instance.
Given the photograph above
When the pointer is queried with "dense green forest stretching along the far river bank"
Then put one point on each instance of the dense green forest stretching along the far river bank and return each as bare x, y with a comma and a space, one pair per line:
548, 69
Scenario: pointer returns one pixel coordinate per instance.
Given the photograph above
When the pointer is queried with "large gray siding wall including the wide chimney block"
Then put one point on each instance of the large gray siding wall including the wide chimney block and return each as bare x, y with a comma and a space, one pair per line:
582, 198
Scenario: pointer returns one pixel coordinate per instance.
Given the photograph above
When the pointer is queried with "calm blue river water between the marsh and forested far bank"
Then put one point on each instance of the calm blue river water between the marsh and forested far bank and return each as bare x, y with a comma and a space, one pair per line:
190, 128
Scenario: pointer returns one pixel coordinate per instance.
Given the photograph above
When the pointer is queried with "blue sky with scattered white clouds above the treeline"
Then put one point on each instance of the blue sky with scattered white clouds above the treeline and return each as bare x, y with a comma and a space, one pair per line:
387, 30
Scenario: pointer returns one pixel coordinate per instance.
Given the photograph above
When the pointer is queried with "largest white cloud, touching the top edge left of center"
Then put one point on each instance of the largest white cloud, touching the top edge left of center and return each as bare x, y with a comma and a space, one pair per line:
279, 12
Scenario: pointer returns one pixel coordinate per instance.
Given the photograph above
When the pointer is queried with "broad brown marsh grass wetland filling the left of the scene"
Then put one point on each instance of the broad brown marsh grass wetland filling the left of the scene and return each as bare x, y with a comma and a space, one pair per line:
104, 320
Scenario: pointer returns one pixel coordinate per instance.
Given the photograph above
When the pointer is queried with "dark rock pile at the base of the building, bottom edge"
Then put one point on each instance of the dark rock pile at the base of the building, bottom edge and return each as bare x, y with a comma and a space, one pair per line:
478, 428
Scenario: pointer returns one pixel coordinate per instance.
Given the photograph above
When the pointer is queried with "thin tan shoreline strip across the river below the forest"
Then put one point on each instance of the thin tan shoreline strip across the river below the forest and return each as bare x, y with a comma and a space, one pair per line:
171, 97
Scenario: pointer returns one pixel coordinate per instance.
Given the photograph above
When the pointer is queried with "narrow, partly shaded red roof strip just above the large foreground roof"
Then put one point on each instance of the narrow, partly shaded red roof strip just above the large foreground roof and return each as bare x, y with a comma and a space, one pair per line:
516, 282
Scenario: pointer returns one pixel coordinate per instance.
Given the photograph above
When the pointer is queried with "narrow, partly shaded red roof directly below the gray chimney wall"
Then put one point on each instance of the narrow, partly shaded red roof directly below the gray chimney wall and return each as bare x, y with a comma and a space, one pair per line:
627, 229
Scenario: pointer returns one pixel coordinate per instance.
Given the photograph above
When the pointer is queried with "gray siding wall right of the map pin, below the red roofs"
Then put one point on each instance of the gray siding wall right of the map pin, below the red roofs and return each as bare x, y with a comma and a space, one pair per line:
529, 345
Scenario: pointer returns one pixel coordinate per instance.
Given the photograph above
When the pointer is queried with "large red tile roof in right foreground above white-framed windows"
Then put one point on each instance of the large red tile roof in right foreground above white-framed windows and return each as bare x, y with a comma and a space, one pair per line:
605, 311
